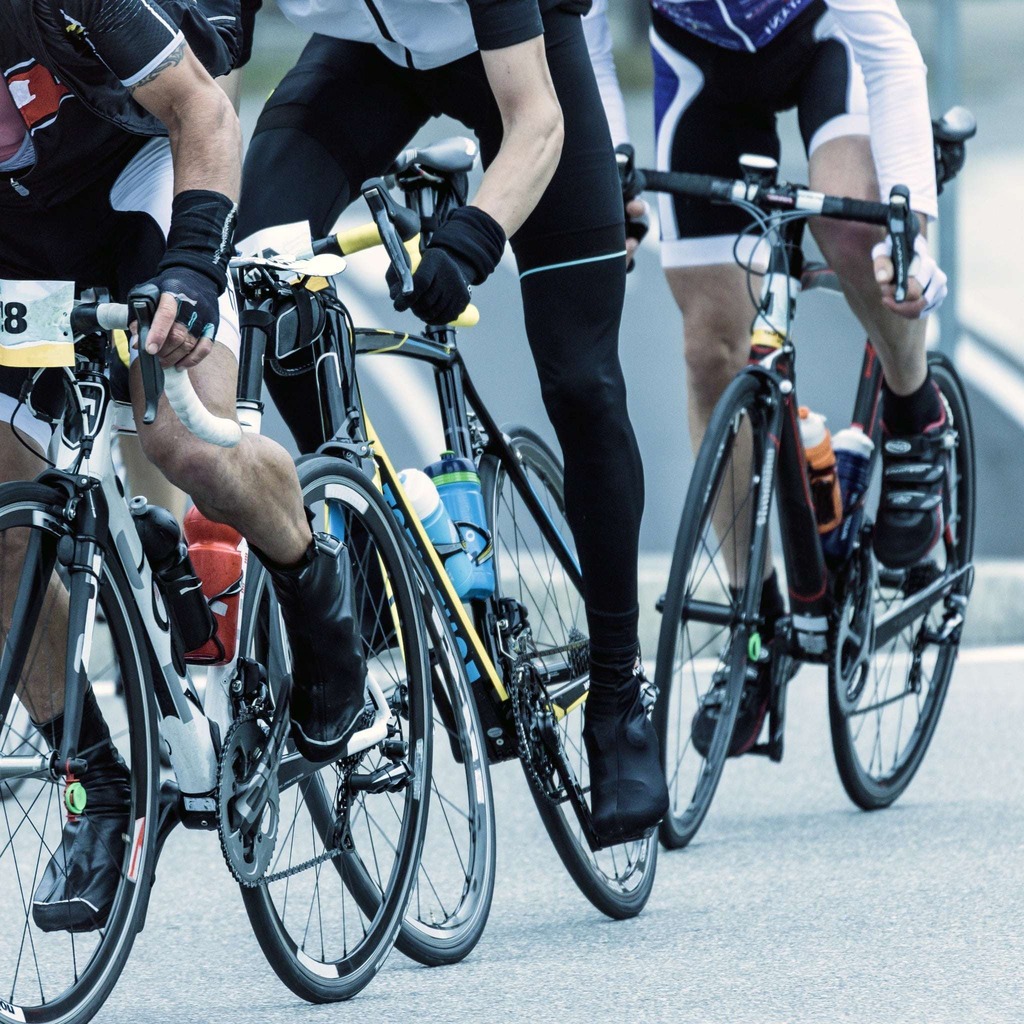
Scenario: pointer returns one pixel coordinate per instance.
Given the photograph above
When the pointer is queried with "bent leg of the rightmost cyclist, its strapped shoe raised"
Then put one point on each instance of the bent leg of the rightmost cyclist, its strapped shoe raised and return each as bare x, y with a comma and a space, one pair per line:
835, 125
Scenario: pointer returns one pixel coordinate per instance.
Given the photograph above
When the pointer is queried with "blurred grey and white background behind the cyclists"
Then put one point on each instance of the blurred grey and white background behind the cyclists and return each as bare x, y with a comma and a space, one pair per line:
975, 56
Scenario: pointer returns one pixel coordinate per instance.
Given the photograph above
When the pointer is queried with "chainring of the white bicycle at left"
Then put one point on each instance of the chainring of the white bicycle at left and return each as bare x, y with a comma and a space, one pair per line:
248, 835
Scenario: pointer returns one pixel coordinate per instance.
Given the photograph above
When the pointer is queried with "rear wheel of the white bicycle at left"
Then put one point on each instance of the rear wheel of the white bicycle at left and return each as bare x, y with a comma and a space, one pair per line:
331, 904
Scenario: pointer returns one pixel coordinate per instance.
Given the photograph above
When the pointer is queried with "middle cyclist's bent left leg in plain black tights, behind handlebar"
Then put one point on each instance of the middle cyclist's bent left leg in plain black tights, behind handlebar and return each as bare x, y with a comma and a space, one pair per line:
340, 116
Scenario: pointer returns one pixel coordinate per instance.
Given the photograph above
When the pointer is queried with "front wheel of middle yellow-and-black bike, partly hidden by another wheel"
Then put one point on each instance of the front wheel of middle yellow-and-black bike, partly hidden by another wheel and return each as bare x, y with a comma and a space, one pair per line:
451, 900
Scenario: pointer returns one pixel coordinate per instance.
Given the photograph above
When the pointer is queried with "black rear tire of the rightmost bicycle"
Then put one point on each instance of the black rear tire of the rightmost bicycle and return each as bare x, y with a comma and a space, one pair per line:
873, 790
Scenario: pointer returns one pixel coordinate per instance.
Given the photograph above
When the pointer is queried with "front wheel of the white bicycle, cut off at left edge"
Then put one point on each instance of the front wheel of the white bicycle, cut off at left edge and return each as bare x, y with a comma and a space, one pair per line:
37, 507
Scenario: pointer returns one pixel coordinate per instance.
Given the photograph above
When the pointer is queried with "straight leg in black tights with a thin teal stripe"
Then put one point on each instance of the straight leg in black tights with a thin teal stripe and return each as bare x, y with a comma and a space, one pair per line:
571, 254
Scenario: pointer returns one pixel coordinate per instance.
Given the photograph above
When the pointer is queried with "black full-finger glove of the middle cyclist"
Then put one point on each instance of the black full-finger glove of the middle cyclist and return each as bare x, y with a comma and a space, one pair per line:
463, 252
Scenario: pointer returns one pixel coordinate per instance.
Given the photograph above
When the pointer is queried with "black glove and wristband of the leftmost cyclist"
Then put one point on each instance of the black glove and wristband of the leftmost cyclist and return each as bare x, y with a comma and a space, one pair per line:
195, 266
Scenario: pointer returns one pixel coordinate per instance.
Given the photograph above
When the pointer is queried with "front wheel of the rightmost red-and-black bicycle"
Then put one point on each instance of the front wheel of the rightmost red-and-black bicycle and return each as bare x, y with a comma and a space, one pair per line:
703, 654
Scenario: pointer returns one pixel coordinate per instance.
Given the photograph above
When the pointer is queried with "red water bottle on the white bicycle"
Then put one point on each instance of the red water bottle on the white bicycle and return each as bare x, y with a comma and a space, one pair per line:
219, 554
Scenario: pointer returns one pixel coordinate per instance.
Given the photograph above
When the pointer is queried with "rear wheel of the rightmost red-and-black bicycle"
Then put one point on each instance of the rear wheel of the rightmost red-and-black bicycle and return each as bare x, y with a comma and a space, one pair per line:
885, 698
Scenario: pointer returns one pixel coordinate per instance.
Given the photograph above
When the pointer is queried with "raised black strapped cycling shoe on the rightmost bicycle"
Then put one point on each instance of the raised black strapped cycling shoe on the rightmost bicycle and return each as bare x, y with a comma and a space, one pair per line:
915, 496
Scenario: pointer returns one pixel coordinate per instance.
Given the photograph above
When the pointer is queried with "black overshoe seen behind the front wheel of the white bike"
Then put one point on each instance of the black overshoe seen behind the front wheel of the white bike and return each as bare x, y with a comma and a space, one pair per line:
80, 883
